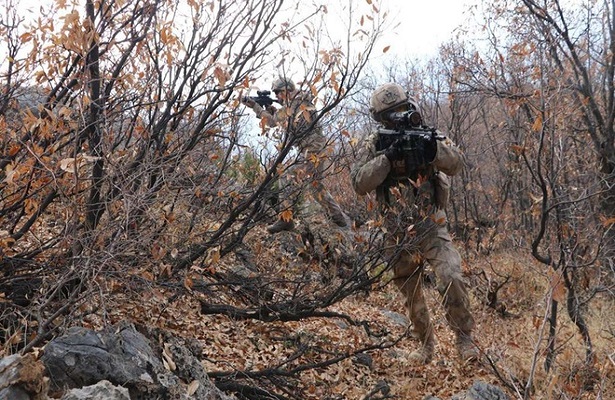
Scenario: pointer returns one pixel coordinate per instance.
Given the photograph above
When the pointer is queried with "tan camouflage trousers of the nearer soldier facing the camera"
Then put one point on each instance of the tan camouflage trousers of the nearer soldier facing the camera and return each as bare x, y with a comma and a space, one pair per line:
434, 245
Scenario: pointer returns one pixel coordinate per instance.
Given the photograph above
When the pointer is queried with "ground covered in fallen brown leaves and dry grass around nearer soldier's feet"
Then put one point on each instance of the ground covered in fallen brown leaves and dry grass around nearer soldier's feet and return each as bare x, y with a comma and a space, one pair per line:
266, 350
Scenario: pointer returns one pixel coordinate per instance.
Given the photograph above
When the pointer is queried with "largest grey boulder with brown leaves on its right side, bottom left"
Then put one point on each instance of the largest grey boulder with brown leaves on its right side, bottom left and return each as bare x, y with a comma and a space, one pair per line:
125, 357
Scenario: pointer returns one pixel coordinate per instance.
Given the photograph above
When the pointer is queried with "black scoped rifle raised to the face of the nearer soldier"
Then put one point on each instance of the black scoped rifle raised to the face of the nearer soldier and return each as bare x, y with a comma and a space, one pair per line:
417, 141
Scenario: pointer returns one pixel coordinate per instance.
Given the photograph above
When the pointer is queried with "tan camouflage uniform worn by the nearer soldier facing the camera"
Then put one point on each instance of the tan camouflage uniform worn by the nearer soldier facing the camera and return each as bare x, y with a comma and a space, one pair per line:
415, 222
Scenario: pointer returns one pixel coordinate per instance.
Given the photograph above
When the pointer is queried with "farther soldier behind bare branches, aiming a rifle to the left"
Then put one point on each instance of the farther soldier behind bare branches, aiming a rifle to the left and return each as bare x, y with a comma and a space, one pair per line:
296, 116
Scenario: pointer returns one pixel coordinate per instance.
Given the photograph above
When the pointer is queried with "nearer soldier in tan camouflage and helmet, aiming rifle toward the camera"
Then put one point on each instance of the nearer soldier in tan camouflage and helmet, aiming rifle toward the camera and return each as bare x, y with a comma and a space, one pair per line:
412, 188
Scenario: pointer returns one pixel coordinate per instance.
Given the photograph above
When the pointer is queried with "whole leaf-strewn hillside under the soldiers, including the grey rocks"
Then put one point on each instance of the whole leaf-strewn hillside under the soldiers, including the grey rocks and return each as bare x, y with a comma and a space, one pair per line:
356, 348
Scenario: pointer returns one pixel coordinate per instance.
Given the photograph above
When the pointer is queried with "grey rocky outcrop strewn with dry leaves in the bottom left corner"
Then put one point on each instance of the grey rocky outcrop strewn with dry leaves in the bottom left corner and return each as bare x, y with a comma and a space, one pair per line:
117, 363
